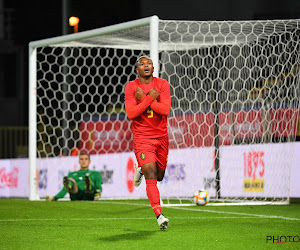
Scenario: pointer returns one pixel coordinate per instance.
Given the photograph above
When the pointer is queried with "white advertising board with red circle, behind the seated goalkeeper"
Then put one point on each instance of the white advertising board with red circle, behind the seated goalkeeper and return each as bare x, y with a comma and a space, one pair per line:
117, 172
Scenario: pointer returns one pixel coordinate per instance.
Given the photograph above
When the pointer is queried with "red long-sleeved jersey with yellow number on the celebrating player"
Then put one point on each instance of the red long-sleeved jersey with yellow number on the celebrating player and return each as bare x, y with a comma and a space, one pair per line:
149, 116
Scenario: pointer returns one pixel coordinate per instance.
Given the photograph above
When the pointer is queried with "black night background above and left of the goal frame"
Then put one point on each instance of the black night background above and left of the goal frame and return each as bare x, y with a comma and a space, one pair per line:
25, 21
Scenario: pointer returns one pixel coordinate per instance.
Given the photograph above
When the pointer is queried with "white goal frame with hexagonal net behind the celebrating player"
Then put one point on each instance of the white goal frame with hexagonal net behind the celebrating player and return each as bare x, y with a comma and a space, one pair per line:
233, 121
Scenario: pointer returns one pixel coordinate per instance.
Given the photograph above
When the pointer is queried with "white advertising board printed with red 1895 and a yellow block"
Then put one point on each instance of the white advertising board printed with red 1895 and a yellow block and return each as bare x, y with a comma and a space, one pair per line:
259, 170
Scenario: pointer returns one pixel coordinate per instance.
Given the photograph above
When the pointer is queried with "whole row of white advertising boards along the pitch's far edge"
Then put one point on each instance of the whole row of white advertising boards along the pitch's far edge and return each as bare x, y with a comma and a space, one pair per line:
245, 171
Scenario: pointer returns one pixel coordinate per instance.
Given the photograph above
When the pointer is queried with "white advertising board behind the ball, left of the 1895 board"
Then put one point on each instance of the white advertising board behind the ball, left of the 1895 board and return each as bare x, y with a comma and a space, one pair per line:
188, 170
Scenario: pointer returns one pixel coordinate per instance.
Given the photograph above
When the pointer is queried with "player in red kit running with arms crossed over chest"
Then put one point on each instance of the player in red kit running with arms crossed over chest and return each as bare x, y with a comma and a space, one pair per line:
147, 104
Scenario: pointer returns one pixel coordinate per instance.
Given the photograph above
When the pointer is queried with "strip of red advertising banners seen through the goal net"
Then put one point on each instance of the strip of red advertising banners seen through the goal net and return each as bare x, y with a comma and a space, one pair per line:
193, 130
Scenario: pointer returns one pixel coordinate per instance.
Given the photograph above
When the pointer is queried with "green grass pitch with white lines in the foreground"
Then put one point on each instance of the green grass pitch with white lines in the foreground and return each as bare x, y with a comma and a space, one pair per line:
132, 225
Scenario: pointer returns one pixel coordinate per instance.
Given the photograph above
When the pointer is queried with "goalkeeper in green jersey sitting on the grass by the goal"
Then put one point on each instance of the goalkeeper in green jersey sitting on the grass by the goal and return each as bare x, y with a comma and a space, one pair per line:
83, 184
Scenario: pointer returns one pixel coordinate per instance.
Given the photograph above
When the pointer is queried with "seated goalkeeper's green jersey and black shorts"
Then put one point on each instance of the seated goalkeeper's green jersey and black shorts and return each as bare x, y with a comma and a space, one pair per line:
78, 176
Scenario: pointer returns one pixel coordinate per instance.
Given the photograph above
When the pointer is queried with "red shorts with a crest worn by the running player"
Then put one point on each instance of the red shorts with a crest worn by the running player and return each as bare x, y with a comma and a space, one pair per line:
152, 150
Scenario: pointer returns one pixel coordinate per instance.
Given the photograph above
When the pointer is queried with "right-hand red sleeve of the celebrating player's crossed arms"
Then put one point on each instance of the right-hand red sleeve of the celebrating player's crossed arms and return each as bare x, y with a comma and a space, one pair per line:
163, 107
